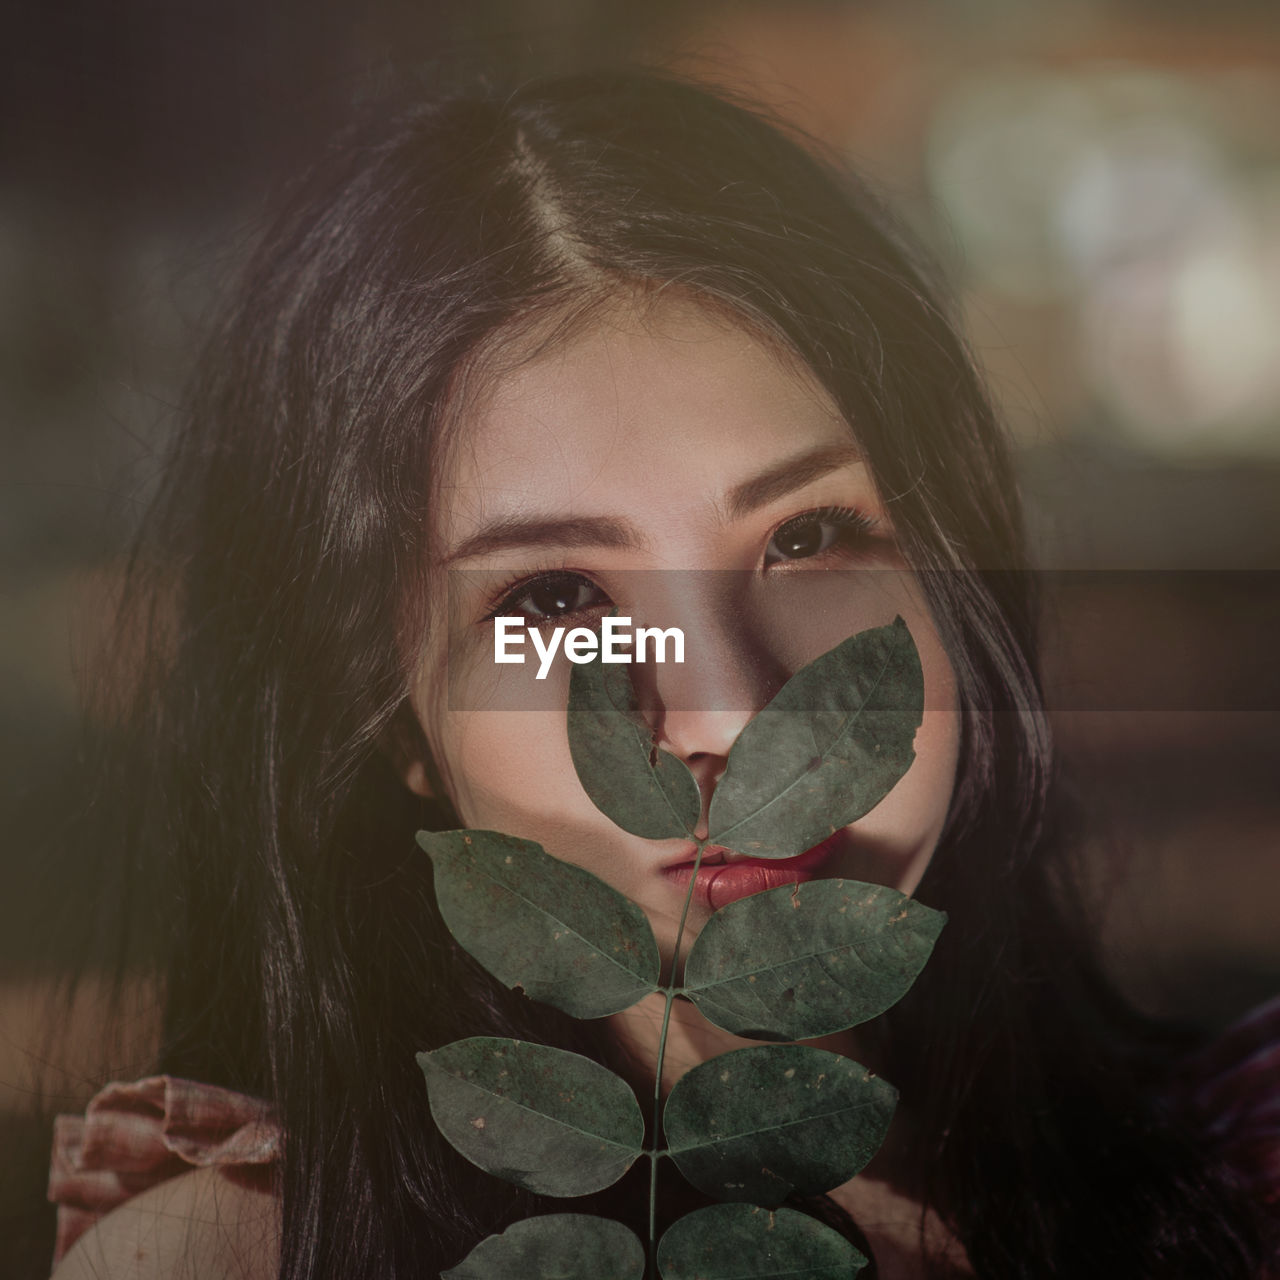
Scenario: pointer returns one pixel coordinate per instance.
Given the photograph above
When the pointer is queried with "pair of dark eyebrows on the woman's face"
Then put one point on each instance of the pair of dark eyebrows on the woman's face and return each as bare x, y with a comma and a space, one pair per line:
612, 533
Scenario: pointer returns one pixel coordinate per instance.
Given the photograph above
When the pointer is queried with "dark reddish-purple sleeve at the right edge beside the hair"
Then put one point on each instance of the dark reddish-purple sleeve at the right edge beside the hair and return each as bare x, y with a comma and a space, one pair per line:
1233, 1087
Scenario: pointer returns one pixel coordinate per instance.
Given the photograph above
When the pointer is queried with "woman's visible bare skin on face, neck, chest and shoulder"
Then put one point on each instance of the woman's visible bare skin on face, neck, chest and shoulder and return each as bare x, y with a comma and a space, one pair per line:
652, 415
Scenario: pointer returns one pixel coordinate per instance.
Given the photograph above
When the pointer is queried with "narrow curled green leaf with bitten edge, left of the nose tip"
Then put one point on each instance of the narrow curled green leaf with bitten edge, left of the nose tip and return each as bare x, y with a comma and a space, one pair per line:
644, 790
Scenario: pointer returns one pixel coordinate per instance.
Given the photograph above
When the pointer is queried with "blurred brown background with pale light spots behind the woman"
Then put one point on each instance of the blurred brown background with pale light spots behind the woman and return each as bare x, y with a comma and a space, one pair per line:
1100, 180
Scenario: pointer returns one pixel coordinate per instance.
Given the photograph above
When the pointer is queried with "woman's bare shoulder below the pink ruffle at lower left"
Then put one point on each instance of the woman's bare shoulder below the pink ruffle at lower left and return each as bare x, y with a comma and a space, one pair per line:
203, 1226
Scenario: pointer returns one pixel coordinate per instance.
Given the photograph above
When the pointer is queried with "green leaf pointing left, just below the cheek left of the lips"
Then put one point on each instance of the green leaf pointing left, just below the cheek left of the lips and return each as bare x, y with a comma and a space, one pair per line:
534, 922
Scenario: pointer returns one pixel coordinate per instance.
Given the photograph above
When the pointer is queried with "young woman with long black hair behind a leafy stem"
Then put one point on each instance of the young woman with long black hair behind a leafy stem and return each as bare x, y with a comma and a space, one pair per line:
601, 342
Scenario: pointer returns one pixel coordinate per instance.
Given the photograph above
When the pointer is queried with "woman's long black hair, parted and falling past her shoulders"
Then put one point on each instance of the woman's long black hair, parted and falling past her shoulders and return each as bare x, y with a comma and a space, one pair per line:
280, 579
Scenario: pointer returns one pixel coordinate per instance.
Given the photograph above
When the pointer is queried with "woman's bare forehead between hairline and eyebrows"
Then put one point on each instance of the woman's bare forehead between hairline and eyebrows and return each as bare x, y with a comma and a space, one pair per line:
642, 410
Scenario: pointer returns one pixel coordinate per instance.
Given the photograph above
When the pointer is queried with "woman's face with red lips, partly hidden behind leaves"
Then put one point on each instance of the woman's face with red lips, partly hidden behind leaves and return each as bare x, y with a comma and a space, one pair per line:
670, 464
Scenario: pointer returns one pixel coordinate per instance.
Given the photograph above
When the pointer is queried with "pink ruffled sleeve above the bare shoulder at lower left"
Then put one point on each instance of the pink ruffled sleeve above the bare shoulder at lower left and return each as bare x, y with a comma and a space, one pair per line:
134, 1137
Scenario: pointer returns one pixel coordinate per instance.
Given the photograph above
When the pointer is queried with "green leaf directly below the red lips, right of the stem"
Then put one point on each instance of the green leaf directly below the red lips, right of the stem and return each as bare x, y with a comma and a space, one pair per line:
810, 959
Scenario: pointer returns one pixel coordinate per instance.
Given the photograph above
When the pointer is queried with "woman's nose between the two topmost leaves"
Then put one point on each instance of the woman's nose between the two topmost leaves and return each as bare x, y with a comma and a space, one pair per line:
698, 708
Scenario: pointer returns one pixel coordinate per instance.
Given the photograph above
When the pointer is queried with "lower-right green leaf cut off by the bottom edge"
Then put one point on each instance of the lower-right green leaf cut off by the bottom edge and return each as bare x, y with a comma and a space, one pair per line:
743, 1242
